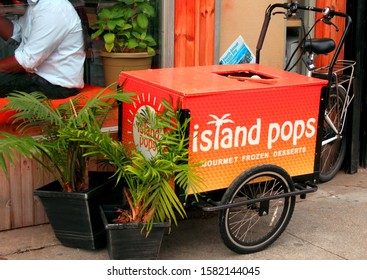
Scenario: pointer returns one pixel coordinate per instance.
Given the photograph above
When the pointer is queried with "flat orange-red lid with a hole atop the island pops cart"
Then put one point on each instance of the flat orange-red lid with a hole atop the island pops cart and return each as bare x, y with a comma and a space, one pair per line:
218, 78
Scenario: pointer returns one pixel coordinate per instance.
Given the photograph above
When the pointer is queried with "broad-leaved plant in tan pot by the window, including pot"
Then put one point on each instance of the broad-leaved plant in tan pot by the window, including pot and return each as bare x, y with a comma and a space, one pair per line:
124, 28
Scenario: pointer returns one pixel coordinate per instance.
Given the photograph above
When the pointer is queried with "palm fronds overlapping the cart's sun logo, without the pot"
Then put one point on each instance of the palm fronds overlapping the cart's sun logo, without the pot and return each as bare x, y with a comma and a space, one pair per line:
150, 193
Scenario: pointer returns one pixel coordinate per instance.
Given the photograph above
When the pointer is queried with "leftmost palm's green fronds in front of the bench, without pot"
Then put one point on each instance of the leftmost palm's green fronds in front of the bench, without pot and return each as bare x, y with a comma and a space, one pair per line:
63, 158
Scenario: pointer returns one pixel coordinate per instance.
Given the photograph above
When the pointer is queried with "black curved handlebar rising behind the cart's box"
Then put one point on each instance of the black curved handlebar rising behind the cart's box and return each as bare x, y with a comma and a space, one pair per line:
291, 8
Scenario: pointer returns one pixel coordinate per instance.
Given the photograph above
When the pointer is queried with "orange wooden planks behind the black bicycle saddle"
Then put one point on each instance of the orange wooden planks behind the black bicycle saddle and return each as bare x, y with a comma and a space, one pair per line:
326, 31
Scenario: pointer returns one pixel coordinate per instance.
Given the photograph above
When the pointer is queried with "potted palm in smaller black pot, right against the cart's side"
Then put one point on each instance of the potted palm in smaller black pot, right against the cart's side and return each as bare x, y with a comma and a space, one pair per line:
135, 230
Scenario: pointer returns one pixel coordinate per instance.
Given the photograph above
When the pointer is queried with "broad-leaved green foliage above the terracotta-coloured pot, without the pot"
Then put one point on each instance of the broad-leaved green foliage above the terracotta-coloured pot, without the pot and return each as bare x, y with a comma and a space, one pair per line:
124, 26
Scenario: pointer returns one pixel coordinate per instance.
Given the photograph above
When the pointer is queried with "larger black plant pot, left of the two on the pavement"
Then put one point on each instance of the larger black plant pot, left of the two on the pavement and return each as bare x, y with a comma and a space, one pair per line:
75, 217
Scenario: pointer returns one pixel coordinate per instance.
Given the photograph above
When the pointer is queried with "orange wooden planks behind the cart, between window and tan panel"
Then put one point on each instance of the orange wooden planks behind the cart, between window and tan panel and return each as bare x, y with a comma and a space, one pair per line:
194, 32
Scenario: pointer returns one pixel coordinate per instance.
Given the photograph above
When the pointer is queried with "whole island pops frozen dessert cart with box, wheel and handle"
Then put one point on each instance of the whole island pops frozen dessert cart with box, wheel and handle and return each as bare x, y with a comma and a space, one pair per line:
257, 131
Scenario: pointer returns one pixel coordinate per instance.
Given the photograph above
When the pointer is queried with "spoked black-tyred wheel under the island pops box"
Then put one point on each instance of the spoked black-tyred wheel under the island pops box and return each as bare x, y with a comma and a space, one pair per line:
253, 227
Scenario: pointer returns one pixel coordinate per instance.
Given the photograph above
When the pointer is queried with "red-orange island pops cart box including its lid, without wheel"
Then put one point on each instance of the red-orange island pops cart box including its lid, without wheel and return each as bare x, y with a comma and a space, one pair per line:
241, 116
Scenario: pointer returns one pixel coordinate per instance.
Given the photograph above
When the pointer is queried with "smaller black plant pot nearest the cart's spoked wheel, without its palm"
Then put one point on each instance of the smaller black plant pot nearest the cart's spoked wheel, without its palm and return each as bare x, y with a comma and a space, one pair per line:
128, 241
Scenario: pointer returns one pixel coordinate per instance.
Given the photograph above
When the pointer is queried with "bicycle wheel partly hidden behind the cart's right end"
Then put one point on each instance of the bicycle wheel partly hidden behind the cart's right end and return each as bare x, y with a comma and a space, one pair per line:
334, 143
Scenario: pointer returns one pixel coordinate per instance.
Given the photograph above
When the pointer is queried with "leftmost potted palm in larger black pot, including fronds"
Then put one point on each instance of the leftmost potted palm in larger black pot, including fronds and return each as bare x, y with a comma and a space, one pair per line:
71, 201
